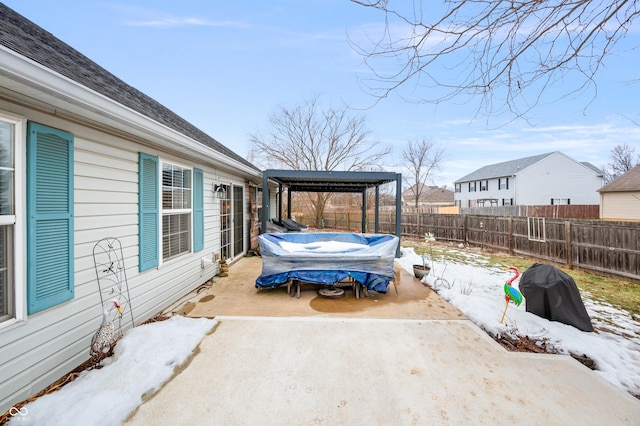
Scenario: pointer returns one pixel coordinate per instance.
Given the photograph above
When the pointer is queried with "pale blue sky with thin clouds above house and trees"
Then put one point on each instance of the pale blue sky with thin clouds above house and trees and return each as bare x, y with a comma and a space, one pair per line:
225, 66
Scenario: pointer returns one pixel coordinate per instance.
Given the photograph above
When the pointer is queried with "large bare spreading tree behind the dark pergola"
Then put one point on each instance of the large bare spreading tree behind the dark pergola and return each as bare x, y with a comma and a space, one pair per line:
307, 137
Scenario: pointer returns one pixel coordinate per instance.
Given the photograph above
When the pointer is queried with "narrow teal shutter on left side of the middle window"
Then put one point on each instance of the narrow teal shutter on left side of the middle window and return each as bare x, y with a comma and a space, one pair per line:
148, 212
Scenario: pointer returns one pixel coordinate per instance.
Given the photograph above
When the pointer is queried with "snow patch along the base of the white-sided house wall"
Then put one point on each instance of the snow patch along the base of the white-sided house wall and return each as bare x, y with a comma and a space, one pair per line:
144, 359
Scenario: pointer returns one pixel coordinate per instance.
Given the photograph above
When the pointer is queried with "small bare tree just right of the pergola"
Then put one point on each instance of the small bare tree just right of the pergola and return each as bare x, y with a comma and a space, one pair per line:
422, 158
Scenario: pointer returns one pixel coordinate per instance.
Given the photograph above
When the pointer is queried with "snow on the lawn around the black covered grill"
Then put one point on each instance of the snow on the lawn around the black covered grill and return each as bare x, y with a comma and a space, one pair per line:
476, 288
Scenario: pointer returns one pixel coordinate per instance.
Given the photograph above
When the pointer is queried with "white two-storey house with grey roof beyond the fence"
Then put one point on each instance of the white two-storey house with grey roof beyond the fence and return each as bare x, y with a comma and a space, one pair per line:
545, 179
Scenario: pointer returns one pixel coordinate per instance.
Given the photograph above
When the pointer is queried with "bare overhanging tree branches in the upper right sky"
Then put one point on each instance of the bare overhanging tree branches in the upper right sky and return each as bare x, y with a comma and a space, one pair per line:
507, 52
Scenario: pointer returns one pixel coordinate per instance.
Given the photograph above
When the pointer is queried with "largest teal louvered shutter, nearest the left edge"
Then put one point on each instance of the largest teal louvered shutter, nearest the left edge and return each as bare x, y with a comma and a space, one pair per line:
49, 217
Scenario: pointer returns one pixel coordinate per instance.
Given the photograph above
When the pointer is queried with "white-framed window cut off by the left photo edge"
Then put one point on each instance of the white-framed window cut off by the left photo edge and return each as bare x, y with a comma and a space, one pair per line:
12, 294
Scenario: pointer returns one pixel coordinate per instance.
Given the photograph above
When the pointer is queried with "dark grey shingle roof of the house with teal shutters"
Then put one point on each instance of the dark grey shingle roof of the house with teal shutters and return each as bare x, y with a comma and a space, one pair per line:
26, 38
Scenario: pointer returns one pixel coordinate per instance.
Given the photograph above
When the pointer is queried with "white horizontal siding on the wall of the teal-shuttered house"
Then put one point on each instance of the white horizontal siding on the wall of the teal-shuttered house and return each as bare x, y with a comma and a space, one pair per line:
43, 347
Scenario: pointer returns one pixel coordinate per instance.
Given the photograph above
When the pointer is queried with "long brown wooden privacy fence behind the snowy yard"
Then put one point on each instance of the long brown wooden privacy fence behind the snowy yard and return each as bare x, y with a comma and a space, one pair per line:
604, 246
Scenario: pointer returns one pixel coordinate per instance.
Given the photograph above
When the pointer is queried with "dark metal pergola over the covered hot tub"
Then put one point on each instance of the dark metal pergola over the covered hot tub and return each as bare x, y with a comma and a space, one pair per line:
331, 181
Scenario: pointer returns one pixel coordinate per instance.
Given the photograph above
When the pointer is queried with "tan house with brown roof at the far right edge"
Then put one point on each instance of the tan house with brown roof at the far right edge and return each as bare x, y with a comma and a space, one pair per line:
620, 198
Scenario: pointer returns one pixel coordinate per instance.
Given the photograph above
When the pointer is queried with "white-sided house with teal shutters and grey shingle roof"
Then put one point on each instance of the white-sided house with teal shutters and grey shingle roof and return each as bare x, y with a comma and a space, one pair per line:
85, 156
